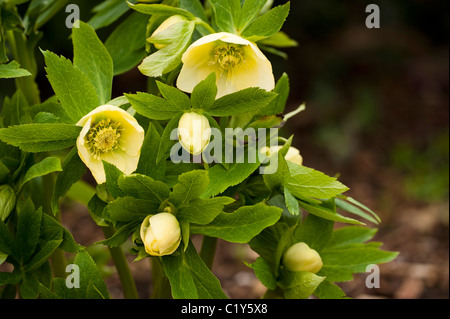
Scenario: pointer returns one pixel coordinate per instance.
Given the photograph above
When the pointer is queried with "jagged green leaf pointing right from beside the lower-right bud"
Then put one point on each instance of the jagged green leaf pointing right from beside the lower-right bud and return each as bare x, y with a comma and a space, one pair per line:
341, 262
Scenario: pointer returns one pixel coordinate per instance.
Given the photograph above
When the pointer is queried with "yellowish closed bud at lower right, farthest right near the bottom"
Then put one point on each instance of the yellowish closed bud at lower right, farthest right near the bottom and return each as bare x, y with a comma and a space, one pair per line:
299, 257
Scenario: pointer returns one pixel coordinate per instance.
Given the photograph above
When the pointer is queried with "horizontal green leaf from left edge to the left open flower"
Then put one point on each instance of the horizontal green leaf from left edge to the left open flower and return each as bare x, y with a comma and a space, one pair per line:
40, 137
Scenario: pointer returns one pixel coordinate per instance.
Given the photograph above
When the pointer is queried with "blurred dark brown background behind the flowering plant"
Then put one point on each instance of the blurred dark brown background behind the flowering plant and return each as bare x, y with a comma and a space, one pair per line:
376, 115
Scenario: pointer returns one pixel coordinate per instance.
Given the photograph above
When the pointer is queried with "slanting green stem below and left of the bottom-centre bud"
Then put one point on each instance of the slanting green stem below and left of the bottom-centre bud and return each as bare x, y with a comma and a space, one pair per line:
121, 263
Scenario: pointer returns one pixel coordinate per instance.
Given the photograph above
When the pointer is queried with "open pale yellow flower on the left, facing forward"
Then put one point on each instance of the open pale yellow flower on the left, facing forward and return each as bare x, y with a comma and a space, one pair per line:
112, 135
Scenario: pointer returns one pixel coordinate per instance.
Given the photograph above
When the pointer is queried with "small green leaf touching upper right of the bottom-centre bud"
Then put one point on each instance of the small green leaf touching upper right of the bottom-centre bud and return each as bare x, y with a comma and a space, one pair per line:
203, 211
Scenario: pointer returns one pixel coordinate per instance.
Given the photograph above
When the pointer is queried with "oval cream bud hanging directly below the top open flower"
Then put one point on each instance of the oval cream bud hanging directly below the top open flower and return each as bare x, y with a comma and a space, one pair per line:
194, 132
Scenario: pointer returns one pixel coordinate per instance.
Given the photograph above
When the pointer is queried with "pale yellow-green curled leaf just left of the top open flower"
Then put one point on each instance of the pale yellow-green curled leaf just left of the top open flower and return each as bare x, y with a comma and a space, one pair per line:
168, 58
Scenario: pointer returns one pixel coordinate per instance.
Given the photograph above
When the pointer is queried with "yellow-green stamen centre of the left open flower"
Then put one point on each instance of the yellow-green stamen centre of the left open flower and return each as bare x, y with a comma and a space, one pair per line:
103, 137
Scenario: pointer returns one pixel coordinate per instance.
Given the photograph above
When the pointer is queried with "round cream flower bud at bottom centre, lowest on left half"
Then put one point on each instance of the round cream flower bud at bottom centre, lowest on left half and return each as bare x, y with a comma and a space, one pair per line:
160, 234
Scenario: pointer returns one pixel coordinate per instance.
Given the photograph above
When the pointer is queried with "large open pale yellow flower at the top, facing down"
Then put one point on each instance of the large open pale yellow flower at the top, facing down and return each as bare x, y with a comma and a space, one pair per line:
238, 64
